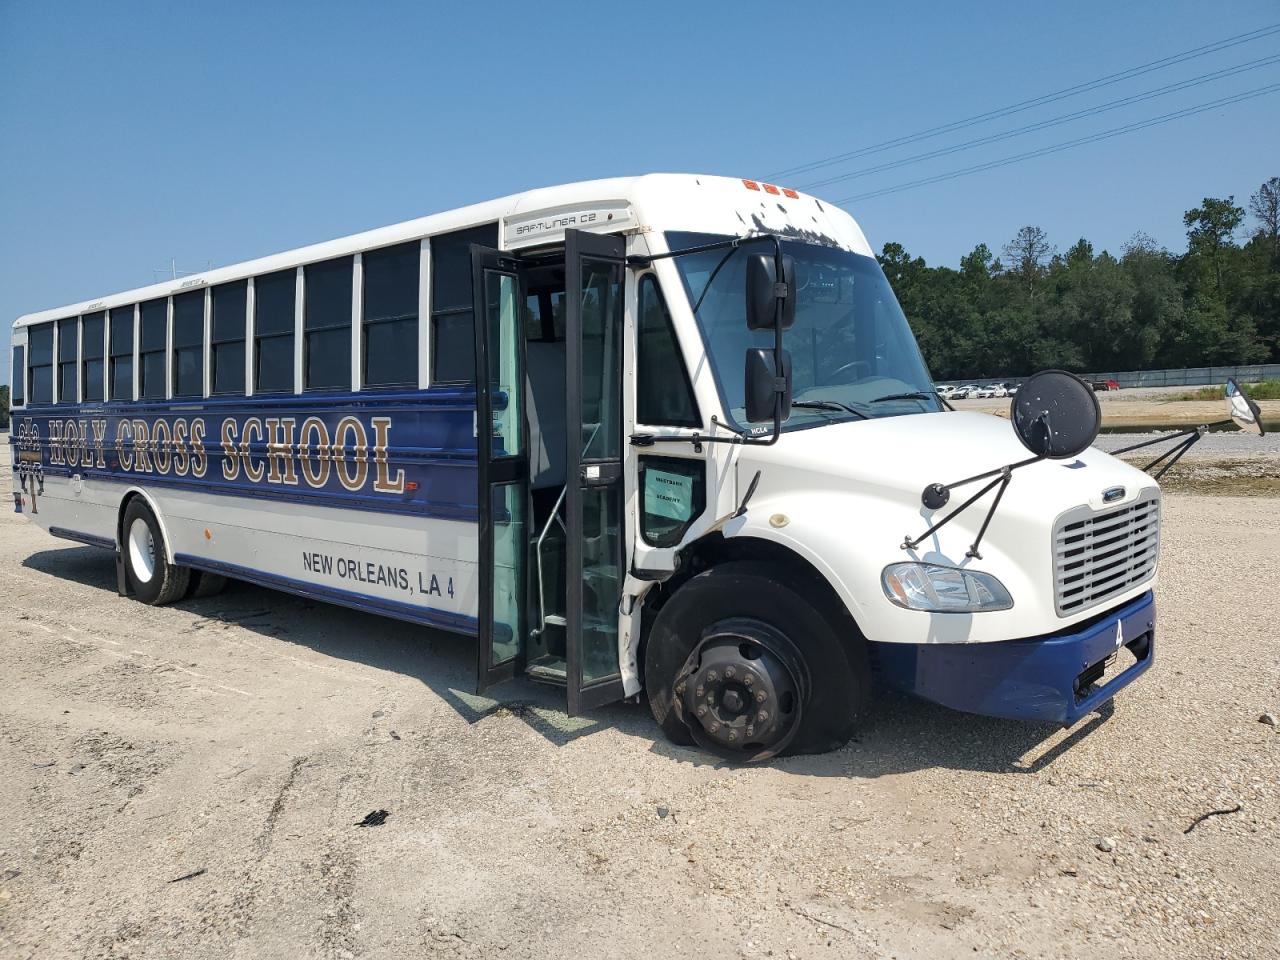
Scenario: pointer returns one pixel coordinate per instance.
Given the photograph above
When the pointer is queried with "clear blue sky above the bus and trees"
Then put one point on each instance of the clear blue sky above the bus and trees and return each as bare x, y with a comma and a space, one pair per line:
136, 134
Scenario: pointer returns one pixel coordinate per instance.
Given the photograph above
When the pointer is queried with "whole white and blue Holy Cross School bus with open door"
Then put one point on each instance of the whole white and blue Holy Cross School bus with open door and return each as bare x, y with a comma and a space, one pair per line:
662, 435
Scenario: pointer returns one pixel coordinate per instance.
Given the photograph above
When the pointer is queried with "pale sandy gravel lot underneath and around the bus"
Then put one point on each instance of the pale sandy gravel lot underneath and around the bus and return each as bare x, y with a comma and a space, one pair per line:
185, 783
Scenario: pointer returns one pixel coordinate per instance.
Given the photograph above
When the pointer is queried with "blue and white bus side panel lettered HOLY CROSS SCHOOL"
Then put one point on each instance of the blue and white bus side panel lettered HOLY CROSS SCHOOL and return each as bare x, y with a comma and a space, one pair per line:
365, 500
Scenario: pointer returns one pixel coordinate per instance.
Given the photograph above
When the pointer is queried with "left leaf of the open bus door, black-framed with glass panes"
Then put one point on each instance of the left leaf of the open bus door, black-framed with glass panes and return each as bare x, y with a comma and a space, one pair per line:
504, 465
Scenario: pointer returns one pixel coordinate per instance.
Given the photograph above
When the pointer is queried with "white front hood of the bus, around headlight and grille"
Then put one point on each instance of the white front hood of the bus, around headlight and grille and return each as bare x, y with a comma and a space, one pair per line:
847, 497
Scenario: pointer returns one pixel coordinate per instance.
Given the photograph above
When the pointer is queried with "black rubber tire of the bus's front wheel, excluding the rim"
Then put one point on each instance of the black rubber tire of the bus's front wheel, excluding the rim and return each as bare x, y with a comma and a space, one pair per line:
828, 642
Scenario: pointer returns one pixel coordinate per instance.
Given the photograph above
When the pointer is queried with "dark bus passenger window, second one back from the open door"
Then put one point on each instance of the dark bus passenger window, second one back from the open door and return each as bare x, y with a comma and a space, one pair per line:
391, 278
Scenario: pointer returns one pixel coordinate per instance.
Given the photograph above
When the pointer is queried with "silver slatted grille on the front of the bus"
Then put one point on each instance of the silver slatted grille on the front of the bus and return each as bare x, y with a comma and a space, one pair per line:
1101, 555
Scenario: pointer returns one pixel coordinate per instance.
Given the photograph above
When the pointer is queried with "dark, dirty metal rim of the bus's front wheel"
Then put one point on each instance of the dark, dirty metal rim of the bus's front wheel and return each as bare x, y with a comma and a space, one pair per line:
742, 691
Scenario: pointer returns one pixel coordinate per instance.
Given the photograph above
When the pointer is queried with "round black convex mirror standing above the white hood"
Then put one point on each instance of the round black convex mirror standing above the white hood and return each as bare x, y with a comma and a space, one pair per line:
1055, 415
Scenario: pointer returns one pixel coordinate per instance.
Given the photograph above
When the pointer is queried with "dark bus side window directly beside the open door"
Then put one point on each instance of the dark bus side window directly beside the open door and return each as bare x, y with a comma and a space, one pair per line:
452, 323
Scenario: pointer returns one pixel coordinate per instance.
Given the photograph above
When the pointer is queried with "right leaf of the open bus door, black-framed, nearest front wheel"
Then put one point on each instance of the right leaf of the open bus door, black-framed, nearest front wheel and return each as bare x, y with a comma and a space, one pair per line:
595, 292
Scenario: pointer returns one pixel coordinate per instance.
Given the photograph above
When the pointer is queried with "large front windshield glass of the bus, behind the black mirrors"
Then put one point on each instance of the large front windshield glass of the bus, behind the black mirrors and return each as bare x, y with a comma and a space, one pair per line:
851, 344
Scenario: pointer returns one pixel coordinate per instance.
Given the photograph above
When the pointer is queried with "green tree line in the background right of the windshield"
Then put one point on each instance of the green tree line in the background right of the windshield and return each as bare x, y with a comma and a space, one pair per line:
1035, 308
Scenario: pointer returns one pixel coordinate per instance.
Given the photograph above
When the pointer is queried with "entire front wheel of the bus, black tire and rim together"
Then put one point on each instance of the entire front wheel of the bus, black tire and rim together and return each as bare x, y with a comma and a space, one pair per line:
742, 664
